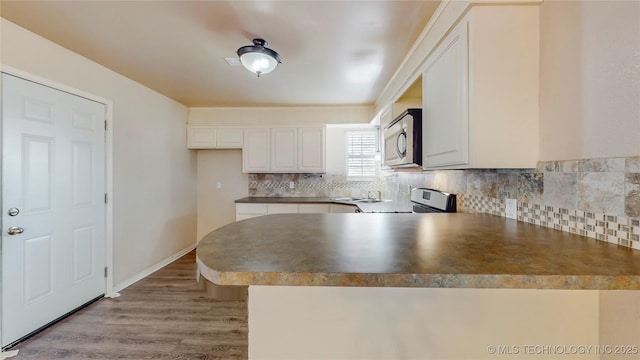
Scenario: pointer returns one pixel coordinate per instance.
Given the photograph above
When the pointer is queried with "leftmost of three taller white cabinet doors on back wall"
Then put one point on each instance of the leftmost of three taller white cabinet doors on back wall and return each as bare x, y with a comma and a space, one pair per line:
255, 153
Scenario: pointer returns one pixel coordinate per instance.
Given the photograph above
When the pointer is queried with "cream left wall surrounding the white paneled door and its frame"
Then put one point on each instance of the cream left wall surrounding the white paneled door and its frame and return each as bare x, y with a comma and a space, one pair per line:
154, 175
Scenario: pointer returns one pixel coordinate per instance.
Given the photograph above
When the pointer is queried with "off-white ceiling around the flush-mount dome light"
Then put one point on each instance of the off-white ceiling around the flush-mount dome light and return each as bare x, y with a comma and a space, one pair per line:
333, 52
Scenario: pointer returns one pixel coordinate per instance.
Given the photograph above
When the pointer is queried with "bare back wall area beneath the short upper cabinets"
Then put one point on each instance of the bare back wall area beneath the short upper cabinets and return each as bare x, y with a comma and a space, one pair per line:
216, 206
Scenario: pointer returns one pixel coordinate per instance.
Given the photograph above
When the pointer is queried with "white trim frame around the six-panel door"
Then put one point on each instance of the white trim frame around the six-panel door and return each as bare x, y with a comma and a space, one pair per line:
108, 159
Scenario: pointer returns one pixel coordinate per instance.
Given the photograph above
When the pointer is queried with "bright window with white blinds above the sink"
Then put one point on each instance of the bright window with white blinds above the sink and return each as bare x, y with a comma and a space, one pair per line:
361, 155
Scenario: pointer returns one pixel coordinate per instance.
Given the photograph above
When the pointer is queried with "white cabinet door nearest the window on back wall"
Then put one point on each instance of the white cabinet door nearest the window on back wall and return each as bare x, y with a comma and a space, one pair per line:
311, 149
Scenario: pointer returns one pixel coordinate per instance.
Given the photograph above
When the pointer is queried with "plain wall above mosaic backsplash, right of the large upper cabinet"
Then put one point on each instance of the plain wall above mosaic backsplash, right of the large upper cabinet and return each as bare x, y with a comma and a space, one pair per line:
590, 79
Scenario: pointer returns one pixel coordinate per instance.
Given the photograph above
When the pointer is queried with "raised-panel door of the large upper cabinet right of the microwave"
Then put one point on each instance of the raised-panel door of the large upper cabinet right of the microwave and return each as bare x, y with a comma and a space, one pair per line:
445, 129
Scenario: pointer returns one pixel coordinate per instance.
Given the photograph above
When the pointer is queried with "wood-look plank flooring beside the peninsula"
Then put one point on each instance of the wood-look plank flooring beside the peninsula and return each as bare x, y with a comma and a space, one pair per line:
167, 315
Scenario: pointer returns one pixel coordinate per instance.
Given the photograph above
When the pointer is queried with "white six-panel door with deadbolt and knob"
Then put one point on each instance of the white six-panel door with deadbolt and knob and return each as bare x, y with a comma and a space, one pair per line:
53, 186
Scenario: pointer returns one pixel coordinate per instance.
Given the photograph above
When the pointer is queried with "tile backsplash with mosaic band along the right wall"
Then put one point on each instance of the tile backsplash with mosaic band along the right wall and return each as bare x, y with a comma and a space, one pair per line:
597, 198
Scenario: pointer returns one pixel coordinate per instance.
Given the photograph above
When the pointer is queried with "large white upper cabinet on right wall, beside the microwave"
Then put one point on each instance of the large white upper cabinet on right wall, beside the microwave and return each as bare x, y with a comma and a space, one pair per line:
480, 91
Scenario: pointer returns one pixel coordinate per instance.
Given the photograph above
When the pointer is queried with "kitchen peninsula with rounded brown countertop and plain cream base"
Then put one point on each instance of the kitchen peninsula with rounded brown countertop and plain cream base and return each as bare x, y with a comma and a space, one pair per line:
443, 286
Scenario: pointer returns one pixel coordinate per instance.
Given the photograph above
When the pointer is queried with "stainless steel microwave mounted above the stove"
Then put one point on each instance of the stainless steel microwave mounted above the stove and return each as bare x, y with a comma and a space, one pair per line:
403, 140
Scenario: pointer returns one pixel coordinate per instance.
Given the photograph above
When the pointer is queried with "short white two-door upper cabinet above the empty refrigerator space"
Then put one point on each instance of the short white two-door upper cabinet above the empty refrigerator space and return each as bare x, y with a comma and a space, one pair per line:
213, 137
